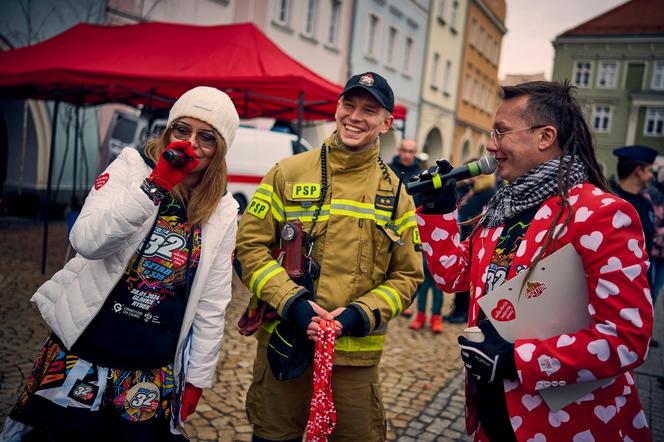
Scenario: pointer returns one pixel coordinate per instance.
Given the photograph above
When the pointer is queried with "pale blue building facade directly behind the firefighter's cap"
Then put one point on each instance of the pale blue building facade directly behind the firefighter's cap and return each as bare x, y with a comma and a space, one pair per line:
388, 38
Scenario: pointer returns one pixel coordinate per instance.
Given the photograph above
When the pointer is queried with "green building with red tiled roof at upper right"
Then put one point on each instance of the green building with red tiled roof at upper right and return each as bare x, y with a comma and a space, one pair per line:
617, 62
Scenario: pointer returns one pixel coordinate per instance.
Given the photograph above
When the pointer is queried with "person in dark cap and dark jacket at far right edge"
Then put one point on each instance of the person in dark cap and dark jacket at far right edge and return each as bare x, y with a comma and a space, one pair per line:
634, 175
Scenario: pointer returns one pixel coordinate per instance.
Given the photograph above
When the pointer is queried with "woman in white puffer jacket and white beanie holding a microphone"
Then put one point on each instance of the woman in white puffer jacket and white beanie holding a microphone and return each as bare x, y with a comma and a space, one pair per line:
137, 316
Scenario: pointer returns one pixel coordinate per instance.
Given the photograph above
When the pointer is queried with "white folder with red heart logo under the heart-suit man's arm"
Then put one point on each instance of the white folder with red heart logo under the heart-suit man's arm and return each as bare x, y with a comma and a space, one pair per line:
553, 301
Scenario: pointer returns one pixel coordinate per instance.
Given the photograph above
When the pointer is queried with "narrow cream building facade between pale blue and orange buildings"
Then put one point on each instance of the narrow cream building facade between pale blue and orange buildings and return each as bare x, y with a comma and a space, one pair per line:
440, 77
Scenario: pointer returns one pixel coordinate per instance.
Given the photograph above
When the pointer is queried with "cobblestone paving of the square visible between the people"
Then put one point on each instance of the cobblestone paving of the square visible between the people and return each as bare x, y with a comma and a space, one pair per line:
420, 372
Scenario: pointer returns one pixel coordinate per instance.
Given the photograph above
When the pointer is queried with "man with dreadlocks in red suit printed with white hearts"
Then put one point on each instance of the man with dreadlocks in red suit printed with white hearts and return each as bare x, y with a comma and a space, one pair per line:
556, 196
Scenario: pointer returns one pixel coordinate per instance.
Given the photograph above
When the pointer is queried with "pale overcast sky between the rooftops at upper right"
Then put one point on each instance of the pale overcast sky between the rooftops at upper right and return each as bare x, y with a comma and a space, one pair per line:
533, 24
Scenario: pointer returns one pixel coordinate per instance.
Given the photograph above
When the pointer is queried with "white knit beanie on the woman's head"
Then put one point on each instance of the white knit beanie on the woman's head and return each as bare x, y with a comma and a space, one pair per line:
211, 106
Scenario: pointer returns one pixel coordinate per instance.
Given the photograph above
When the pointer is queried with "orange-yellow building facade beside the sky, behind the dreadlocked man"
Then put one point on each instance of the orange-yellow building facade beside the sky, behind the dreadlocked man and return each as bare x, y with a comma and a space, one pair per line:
478, 86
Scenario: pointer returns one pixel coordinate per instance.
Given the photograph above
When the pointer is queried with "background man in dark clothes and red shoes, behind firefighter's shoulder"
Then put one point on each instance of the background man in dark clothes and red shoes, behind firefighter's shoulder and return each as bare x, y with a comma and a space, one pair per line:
406, 162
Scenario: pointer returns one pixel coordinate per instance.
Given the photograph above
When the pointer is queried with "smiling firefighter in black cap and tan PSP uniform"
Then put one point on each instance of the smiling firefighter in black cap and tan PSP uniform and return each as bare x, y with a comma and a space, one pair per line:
361, 269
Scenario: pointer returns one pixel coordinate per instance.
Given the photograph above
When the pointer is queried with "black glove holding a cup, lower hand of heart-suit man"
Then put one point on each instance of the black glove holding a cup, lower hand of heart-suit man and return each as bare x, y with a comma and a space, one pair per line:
491, 359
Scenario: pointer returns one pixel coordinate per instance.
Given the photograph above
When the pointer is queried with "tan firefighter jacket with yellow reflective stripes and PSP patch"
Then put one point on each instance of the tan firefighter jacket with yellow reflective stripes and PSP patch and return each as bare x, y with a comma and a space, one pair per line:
358, 265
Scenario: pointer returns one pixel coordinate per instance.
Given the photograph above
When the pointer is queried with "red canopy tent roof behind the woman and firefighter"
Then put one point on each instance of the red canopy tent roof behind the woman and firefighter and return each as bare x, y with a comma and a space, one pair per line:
151, 64
